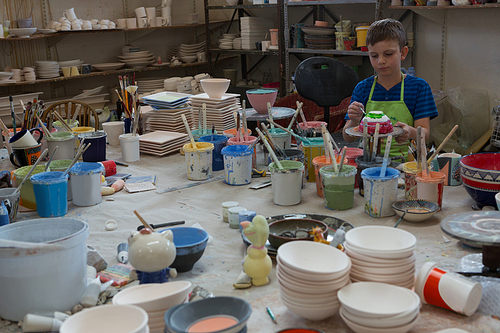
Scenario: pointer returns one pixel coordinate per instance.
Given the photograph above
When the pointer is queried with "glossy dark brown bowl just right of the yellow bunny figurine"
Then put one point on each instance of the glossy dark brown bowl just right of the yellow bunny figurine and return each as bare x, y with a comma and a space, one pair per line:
292, 226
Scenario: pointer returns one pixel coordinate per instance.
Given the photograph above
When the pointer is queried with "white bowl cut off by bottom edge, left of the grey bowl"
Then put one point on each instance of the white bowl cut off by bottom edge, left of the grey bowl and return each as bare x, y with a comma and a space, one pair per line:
107, 318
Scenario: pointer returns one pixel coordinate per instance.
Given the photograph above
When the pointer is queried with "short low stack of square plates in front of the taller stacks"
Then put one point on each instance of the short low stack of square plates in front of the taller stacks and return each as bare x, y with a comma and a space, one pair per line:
162, 142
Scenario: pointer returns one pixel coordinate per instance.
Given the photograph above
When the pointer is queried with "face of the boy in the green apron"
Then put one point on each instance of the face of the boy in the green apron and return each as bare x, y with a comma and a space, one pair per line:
385, 57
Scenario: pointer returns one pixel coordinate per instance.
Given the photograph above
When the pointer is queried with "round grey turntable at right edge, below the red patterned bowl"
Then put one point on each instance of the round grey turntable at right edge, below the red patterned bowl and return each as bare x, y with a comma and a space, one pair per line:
480, 229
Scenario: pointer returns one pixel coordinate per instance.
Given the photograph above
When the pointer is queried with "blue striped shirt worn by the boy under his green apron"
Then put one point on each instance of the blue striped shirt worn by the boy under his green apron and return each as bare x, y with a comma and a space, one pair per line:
417, 96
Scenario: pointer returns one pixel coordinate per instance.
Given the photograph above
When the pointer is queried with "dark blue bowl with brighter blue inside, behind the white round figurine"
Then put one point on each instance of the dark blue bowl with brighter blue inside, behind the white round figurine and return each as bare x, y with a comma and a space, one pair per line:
190, 243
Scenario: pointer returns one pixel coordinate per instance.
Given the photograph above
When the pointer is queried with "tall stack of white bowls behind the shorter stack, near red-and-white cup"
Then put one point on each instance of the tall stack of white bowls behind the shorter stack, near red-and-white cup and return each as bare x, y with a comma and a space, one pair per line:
382, 254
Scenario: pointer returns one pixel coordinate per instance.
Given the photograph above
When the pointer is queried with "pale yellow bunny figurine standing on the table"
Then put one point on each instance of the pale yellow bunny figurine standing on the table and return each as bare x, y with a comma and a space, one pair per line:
257, 263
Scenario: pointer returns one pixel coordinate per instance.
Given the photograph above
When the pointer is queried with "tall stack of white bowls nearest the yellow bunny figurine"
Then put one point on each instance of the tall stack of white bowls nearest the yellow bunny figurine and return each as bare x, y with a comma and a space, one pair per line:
309, 275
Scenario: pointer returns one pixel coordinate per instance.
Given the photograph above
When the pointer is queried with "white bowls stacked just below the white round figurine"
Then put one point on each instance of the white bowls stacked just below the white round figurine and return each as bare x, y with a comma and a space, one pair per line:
155, 299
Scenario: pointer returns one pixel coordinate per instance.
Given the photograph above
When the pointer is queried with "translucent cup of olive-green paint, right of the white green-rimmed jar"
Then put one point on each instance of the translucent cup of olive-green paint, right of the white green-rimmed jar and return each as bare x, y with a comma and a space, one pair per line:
338, 187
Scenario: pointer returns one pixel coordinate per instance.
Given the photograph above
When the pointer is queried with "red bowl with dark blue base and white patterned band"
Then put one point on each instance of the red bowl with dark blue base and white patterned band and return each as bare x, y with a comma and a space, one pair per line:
481, 177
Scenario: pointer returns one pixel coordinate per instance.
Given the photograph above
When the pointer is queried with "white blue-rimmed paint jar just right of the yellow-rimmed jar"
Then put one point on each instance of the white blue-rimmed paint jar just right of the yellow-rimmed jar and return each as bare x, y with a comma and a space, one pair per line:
237, 164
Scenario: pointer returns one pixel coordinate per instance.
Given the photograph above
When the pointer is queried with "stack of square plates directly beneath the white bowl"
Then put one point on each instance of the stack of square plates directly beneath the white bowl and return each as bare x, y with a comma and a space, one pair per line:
219, 111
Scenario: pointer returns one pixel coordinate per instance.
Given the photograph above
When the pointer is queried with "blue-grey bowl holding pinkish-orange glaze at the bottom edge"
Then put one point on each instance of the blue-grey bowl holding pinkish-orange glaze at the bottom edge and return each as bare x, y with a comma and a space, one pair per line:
180, 318
